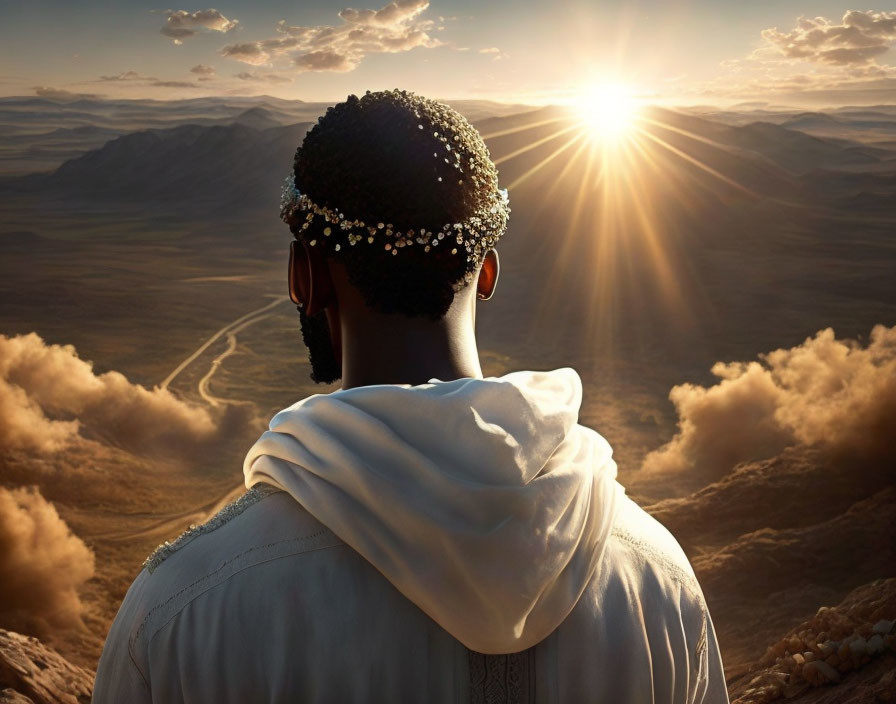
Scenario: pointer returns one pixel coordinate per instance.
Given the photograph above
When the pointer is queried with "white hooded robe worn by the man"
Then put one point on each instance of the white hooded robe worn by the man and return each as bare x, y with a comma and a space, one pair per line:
398, 540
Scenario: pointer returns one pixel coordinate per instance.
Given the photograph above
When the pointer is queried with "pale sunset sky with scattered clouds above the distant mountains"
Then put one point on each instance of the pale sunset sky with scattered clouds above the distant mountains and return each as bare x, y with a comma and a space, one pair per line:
789, 52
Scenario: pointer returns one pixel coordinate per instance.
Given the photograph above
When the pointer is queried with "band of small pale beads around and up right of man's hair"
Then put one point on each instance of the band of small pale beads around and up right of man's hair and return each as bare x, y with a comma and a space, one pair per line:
451, 140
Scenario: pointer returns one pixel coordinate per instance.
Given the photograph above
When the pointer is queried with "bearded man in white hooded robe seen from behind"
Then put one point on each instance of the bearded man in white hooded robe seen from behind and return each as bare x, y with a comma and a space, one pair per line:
422, 534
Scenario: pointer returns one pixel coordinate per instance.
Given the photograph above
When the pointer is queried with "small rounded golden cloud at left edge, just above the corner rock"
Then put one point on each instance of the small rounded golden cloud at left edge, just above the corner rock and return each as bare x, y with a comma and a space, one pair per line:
42, 564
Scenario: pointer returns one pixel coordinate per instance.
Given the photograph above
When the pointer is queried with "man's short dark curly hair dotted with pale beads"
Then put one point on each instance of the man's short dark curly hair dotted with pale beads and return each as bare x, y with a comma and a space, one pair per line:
406, 173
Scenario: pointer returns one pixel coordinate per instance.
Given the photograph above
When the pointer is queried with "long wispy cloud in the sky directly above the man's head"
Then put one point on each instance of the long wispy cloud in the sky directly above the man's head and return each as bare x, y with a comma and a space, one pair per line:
394, 28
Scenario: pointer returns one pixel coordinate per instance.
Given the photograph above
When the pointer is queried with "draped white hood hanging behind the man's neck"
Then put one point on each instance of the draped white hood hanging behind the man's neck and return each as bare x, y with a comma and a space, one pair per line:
482, 500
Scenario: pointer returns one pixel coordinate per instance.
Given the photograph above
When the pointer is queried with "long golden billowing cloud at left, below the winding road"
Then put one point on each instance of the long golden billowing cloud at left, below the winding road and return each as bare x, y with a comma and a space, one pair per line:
50, 398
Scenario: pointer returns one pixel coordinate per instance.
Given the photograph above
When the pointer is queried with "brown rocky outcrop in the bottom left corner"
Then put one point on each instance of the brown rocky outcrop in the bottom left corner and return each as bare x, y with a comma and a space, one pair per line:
32, 672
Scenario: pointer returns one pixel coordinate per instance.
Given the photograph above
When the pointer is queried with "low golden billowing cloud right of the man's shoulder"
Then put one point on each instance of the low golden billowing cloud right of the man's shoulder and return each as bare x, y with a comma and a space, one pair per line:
825, 392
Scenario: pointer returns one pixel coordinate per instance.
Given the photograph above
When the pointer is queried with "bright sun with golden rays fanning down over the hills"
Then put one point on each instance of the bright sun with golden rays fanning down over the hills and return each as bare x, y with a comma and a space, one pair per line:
609, 168
